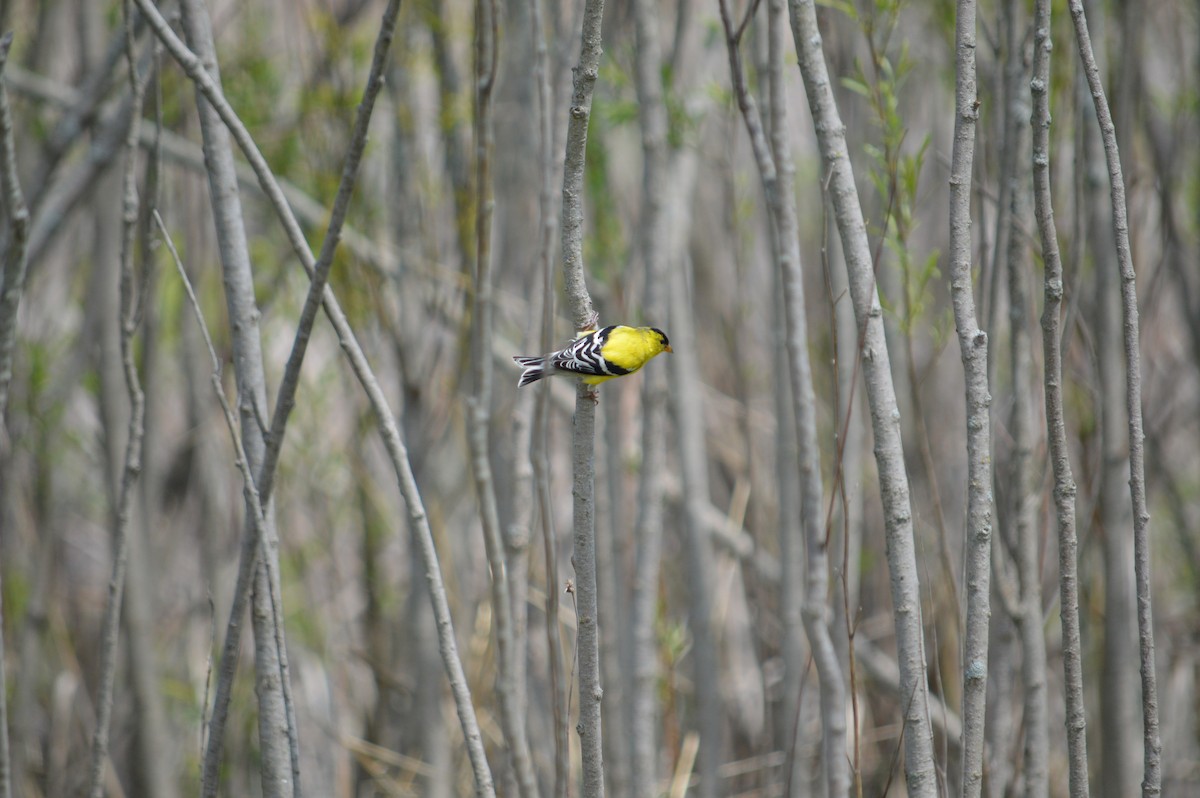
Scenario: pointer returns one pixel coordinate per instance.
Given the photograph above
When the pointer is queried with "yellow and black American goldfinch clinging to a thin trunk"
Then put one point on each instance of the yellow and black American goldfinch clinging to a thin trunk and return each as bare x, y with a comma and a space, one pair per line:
598, 356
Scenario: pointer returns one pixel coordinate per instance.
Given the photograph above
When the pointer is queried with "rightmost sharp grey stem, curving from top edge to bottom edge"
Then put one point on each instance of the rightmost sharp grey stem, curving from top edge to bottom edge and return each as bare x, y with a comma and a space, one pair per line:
1153, 746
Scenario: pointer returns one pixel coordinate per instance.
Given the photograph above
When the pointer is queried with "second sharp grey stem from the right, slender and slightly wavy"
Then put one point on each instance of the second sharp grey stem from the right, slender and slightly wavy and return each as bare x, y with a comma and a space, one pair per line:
1057, 425
